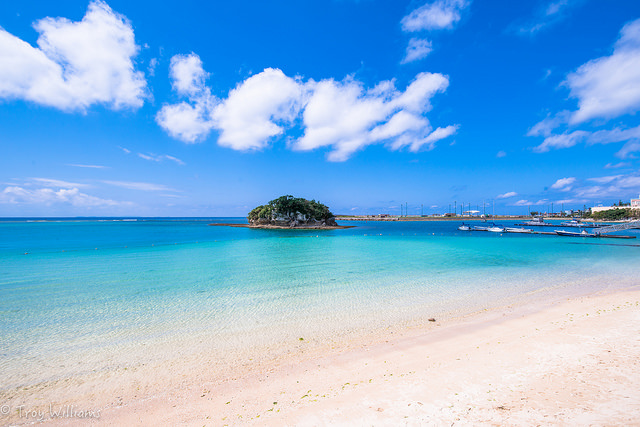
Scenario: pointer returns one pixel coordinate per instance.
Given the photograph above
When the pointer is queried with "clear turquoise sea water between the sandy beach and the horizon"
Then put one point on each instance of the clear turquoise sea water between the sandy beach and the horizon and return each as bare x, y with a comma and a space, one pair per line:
90, 296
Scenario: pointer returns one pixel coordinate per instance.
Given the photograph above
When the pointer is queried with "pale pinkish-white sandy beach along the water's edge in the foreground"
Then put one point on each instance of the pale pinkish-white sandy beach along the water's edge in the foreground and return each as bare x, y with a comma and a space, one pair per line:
570, 362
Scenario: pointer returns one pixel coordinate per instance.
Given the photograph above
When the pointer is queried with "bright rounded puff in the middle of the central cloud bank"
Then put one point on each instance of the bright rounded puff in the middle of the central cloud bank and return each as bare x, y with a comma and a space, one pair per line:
251, 114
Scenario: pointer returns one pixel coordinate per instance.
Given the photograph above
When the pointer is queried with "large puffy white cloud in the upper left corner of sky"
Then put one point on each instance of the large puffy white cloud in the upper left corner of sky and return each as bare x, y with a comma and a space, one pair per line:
76, 64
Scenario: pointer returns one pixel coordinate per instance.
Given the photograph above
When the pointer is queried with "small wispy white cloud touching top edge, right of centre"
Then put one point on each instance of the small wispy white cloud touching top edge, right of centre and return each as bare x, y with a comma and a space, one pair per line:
438, 15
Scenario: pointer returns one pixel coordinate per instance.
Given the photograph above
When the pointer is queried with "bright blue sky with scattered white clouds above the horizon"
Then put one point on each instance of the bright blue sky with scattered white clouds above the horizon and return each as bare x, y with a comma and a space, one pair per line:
210, 108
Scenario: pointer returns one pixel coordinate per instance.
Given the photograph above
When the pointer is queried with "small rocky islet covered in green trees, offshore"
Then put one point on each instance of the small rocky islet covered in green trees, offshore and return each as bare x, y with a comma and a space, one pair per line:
292, 211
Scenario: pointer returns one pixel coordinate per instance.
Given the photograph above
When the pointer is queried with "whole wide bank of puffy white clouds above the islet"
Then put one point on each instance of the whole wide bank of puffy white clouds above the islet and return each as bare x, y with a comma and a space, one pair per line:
342, 115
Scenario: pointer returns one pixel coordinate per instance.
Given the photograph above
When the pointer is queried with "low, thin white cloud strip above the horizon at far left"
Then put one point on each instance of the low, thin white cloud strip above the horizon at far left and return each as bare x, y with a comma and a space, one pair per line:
48, 196
